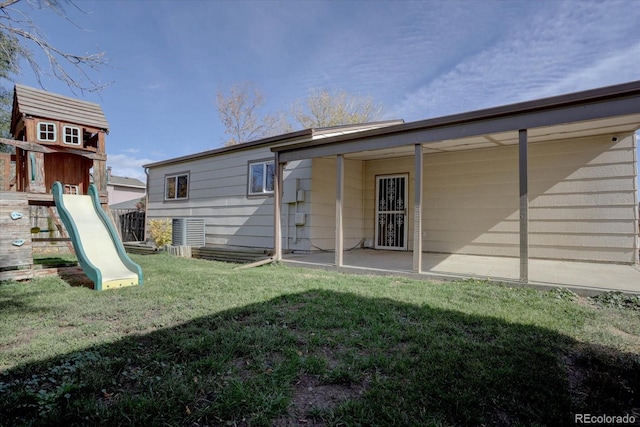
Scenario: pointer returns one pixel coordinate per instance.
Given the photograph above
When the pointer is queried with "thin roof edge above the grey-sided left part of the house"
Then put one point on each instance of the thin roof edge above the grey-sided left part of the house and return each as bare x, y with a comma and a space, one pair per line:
287, 138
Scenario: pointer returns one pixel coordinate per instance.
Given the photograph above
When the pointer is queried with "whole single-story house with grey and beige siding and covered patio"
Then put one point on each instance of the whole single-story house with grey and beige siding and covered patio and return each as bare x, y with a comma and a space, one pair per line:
551, 179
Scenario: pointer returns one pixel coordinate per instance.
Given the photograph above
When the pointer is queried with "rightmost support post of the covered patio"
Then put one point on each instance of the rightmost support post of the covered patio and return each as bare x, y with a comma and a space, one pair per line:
524, 205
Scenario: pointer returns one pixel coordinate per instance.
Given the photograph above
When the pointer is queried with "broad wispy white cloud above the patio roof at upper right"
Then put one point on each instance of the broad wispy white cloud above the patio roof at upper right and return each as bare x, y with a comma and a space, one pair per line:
563, 47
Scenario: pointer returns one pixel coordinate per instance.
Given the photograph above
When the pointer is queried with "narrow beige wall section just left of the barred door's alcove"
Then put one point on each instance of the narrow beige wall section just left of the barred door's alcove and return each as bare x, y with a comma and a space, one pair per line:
323, 198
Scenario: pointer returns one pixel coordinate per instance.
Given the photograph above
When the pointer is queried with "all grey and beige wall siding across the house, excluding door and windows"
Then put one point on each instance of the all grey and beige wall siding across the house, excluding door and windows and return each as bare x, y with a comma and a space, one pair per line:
583, 200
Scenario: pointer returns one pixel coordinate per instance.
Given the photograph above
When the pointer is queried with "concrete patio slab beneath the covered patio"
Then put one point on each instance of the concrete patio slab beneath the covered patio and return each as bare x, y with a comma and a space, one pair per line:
582, 277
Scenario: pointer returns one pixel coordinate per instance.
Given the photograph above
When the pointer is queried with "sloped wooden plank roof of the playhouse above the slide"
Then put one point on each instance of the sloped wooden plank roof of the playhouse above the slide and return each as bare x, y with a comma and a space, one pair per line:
39, 103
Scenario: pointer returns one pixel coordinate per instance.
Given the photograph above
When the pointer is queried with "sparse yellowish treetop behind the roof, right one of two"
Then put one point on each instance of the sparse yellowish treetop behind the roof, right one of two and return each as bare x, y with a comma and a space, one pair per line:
323, 109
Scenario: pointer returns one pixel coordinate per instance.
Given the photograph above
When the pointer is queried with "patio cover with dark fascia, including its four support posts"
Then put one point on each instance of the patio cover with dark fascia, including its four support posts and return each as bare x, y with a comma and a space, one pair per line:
609, 111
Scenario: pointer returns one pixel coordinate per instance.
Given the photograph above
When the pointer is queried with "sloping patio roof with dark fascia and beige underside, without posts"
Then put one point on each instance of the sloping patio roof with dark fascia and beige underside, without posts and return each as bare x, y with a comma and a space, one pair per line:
608, 110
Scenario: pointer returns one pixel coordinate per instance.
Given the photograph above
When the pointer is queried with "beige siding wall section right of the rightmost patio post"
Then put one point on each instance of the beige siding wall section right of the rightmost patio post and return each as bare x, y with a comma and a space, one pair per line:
583, 194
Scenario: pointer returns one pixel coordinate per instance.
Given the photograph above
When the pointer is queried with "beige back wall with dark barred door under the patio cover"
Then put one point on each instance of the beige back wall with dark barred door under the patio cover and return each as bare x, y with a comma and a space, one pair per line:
582, 193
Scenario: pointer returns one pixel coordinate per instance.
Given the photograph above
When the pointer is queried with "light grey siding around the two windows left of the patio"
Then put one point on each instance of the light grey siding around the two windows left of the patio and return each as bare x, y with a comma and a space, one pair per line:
218, 193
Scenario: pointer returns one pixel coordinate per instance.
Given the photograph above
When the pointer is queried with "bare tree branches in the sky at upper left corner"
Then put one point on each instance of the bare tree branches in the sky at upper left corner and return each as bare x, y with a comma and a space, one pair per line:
19, 34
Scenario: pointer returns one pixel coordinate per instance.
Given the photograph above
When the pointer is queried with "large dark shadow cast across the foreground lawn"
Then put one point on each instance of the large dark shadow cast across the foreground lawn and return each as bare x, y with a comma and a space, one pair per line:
327, 358
